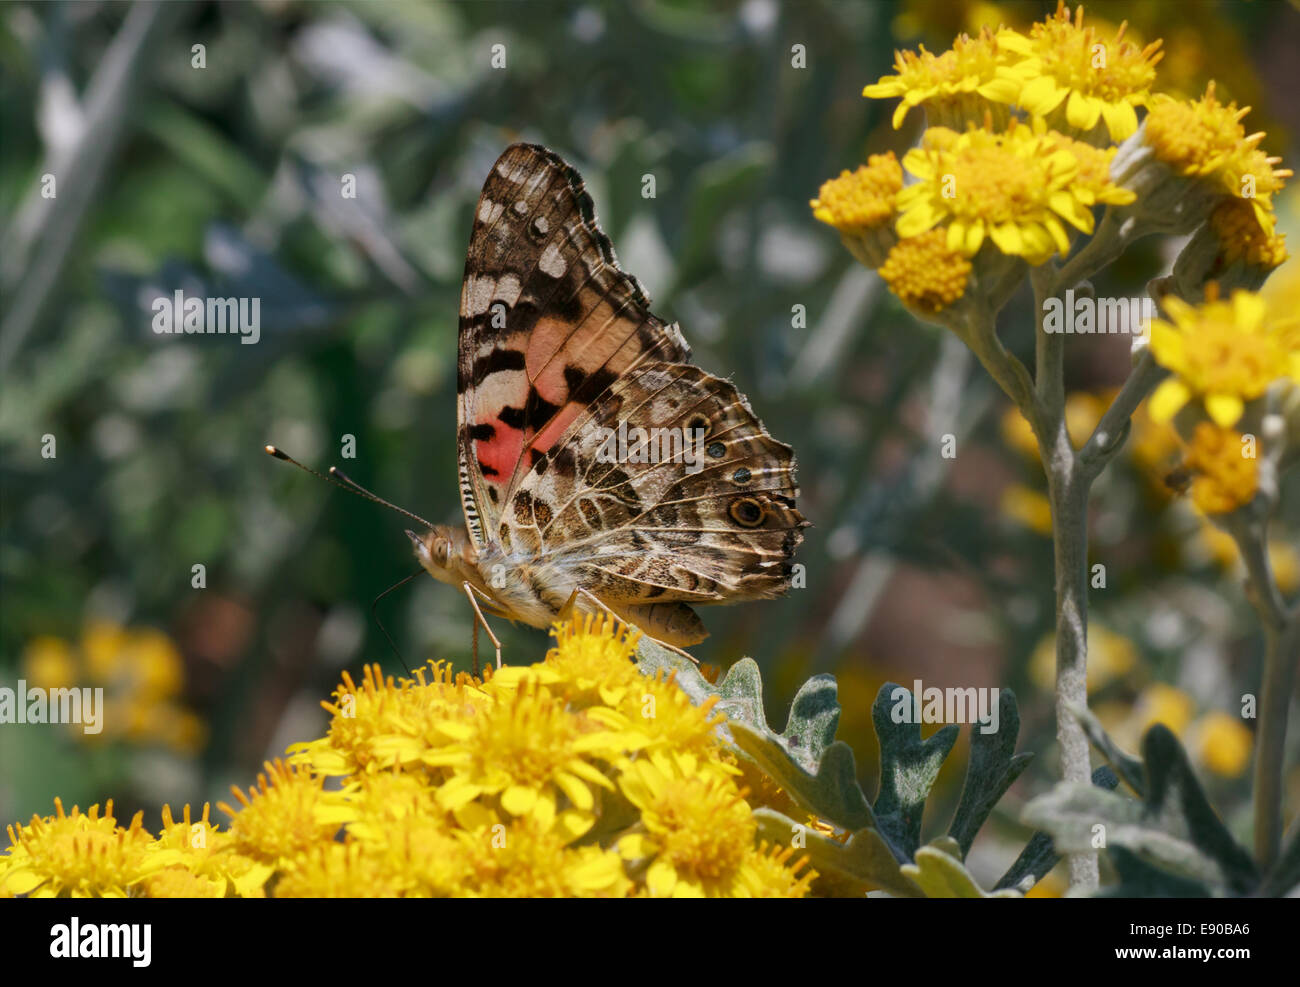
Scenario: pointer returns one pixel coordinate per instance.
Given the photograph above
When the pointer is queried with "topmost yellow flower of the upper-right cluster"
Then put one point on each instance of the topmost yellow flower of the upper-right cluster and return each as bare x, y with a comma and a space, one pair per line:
1094, 77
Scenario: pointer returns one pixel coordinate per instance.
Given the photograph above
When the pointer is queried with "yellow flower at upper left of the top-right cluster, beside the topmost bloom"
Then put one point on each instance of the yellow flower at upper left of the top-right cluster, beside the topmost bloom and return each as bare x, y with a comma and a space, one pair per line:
952, 81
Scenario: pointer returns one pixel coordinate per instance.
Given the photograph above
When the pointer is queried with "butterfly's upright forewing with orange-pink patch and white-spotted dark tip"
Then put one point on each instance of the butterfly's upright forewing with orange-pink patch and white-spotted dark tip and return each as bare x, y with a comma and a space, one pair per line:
548, 323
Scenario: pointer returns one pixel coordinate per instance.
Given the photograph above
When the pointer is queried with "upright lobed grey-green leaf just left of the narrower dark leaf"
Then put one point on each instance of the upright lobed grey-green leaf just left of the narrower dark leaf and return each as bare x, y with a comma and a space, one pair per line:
908, 770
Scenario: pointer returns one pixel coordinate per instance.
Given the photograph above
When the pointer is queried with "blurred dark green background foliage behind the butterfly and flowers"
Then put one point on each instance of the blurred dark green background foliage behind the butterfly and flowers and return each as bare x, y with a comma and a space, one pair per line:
226, 181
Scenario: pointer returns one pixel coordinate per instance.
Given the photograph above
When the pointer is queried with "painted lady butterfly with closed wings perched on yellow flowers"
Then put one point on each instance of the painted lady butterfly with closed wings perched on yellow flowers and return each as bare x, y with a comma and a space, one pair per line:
558, 354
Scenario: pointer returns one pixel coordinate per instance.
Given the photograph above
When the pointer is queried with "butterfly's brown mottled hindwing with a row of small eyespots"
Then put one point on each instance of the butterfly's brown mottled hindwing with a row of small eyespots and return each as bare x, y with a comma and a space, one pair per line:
664, 533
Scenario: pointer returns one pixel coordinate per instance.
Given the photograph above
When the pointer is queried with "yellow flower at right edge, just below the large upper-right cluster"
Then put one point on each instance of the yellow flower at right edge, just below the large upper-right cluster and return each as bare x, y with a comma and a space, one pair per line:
1223, 353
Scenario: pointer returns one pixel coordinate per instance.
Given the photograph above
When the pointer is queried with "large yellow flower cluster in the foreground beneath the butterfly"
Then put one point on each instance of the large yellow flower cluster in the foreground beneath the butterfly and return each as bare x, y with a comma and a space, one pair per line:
575, 777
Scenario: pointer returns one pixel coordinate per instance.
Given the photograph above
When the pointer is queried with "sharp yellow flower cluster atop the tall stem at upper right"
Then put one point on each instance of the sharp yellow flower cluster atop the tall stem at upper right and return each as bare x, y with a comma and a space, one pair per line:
1024, 133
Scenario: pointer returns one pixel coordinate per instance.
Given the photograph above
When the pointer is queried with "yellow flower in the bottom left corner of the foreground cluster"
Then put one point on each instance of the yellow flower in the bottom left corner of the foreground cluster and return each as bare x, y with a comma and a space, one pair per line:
79, 856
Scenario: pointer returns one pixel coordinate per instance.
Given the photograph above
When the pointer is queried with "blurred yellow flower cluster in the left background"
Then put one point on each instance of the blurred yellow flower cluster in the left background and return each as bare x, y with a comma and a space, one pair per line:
142, 676
